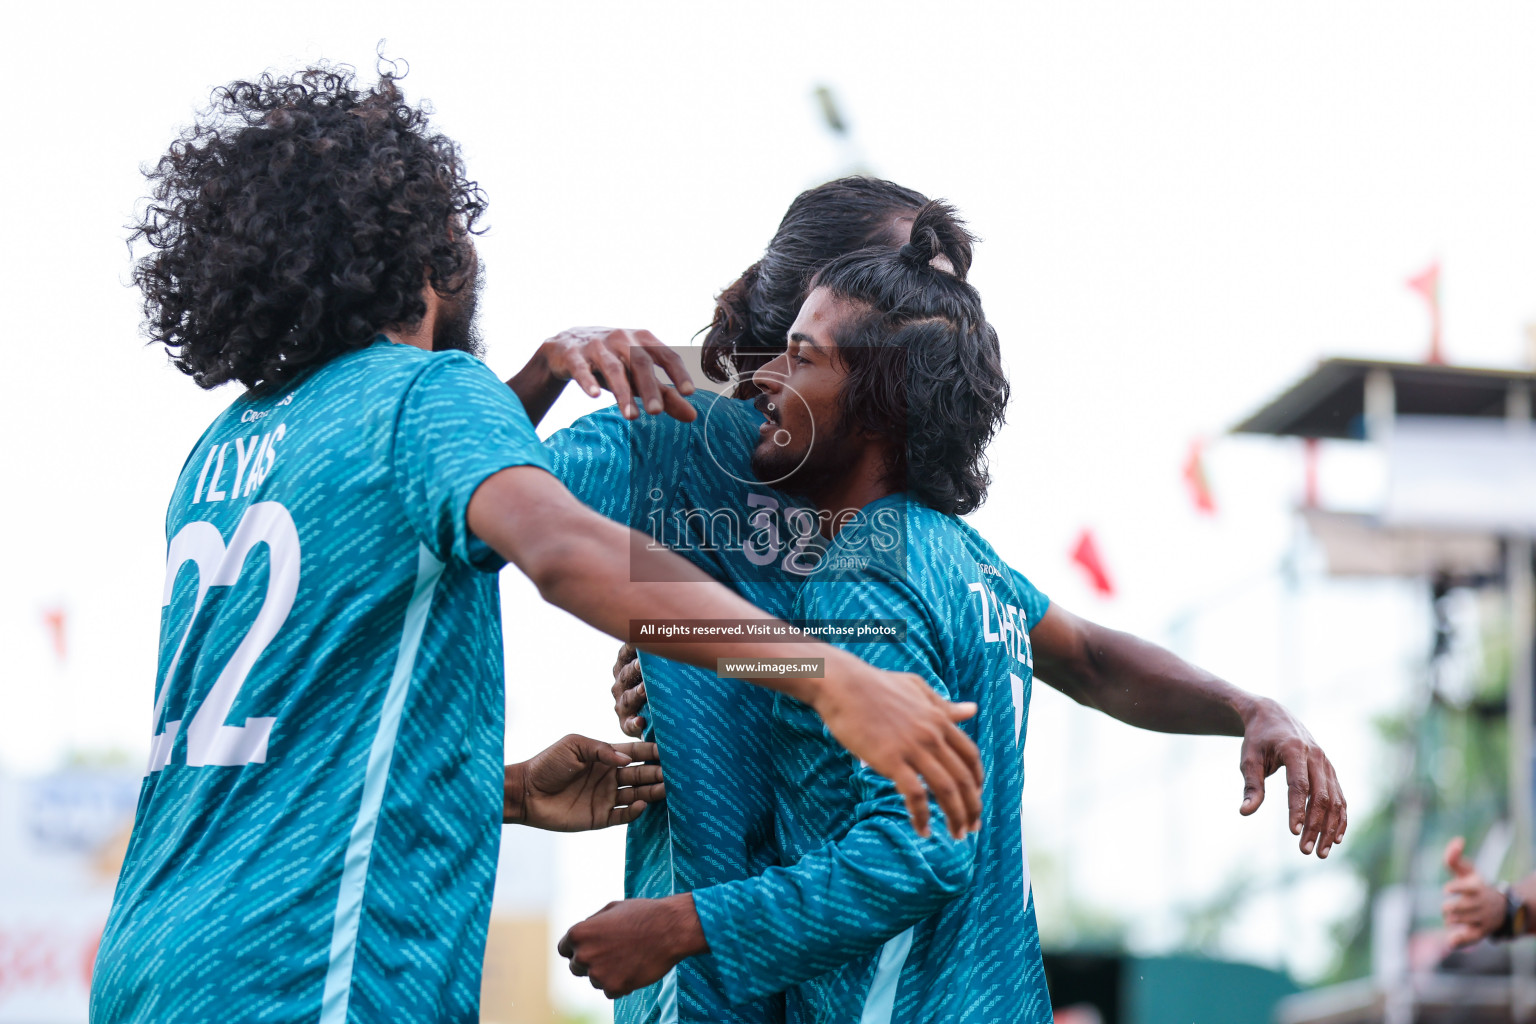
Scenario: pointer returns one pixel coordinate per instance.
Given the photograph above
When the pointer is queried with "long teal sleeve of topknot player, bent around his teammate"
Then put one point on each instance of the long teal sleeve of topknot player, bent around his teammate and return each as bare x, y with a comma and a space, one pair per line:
844, 900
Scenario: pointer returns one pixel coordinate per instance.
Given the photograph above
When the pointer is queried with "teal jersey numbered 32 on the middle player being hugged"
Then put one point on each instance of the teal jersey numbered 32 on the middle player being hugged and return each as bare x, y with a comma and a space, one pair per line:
690, 487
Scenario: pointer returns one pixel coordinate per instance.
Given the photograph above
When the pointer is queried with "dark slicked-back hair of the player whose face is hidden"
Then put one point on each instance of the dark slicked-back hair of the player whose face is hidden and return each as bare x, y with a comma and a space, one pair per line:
753, 314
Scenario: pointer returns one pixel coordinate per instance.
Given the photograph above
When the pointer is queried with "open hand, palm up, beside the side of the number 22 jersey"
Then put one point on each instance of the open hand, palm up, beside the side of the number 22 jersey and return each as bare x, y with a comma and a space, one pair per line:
581, 784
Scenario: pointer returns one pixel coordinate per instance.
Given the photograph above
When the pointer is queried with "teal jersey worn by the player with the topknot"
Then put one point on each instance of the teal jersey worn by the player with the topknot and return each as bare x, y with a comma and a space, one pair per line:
869, 923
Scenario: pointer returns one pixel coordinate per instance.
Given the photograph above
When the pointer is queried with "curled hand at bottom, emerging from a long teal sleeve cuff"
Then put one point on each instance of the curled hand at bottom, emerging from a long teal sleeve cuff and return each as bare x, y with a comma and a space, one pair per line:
634, 943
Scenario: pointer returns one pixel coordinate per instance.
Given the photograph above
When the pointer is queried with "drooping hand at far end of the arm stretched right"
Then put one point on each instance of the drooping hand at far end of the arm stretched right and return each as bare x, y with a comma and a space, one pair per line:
1273, 738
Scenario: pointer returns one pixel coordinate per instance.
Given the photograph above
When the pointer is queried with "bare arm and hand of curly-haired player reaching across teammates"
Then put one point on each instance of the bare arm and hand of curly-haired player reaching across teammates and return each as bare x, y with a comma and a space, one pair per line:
601, 573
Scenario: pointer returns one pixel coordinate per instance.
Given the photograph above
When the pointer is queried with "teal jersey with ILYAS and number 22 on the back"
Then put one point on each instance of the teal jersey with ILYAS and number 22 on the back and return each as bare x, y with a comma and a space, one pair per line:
317, 831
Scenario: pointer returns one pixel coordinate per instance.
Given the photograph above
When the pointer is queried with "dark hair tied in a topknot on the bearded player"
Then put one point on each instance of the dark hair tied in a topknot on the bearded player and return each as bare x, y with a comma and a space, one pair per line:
924, 365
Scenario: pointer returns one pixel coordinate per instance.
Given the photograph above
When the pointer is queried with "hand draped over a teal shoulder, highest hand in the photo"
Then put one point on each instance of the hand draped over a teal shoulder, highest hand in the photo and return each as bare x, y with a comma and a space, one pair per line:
623, 362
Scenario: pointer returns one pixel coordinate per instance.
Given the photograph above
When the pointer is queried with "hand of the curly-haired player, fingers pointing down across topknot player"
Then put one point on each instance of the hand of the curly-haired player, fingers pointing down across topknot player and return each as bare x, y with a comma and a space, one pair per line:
905, 732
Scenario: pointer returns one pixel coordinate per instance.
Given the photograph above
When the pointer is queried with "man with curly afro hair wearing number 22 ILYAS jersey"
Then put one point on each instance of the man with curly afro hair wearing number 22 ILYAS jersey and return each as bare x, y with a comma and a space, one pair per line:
319, 824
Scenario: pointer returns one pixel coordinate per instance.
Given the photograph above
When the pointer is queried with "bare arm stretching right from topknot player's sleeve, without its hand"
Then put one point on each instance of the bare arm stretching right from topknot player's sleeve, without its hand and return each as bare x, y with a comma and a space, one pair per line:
1140, 684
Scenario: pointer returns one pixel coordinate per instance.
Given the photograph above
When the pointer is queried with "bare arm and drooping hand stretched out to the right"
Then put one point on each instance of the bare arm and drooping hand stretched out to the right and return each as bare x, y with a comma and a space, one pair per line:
1144, 685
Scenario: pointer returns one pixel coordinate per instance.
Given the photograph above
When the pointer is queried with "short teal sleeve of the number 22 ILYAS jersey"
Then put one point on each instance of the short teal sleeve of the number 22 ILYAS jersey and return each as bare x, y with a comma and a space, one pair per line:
457, 428
